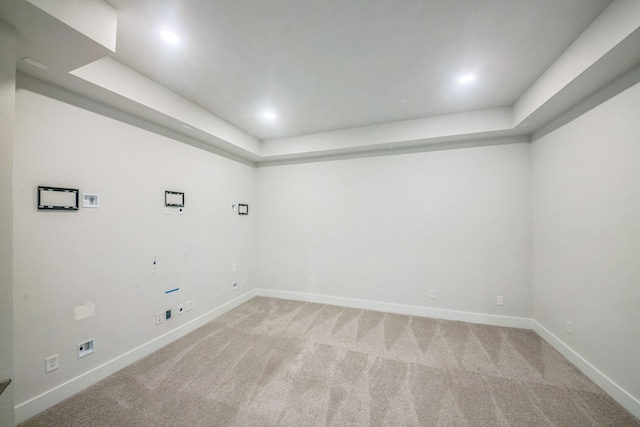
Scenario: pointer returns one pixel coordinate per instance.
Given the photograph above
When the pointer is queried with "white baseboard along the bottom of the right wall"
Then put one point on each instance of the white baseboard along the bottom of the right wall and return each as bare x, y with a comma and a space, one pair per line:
619, 394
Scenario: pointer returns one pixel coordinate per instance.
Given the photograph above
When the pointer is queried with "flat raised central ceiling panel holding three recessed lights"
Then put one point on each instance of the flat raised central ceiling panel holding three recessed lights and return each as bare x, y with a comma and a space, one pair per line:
339, 64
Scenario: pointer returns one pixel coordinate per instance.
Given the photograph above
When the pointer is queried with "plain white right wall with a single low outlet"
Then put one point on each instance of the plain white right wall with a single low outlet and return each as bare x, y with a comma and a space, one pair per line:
586, 236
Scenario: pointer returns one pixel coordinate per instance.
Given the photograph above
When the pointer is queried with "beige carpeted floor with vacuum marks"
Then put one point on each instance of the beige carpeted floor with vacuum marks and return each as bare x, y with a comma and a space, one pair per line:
275, 362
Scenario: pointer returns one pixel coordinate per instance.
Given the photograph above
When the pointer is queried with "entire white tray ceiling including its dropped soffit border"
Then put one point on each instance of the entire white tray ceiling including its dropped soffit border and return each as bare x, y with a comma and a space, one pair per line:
345, 77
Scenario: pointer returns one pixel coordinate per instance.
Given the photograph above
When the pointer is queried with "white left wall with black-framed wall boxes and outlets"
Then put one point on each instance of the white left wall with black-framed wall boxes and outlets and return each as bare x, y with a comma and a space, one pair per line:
103, 273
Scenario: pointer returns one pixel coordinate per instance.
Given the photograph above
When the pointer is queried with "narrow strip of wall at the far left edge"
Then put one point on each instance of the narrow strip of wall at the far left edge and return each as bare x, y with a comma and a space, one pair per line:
7, 118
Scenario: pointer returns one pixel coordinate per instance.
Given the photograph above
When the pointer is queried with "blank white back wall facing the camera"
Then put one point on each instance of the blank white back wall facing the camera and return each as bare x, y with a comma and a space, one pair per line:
391, 229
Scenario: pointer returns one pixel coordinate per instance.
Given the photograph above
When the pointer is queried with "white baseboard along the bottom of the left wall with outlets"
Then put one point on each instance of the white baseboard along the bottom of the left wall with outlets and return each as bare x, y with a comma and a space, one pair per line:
34, 406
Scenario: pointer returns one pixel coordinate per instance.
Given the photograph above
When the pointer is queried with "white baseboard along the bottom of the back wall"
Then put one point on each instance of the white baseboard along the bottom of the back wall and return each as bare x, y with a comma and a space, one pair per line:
413, 310
